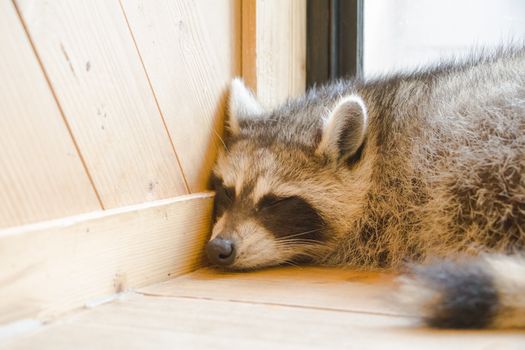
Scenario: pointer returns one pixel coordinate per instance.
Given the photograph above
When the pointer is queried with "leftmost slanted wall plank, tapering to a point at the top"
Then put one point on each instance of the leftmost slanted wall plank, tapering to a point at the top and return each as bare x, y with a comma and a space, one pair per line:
41, 174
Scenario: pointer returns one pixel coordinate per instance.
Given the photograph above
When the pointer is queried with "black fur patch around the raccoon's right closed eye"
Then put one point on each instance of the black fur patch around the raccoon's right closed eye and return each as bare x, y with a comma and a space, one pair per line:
290, 217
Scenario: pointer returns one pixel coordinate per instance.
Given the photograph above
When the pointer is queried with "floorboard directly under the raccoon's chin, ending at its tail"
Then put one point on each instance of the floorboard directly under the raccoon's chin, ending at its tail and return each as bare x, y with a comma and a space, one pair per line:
331, 288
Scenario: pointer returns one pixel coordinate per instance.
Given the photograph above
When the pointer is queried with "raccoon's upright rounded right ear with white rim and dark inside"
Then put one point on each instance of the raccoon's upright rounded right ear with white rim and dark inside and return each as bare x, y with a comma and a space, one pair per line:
344, 130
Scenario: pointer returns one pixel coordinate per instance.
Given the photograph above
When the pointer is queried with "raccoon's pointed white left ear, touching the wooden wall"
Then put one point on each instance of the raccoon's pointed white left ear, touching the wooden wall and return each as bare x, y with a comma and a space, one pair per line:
242, 105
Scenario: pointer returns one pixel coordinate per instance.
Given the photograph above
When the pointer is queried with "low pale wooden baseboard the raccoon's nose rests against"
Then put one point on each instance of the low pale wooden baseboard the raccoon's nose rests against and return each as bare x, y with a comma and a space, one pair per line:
53, 267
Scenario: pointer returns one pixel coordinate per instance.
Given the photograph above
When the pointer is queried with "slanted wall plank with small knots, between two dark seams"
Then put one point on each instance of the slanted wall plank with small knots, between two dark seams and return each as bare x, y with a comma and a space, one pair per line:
95, 70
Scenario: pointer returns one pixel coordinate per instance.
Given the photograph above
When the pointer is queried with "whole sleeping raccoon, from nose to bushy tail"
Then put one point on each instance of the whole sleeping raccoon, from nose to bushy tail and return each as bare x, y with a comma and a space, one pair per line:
423, 168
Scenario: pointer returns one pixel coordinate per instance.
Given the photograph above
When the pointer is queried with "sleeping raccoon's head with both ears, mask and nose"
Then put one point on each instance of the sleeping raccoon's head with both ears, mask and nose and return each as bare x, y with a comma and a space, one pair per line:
288, 181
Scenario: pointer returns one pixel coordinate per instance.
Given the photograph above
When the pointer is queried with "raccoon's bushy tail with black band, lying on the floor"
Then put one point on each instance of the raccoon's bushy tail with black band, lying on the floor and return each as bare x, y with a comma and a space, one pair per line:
483, 292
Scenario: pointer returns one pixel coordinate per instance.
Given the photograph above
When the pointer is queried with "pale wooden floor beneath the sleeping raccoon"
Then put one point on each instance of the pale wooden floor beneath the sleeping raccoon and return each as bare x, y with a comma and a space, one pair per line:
286, 308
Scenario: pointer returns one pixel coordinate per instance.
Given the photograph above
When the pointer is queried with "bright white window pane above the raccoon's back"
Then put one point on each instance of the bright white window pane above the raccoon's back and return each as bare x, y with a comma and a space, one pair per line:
401, 35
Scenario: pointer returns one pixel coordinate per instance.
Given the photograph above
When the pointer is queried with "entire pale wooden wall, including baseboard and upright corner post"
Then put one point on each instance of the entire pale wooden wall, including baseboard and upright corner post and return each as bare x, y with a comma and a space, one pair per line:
110, 121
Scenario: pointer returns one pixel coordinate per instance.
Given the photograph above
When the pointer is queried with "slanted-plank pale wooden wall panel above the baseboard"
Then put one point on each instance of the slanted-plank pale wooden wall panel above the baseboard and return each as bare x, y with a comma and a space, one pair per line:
109, 103
